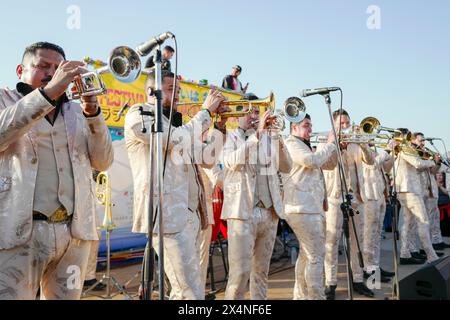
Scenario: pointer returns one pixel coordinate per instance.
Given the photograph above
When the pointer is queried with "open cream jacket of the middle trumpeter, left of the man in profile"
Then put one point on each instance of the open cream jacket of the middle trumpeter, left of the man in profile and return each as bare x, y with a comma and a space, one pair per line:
240, 173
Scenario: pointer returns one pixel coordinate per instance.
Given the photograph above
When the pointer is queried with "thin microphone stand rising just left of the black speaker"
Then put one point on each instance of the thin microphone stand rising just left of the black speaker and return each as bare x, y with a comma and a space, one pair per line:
393, 202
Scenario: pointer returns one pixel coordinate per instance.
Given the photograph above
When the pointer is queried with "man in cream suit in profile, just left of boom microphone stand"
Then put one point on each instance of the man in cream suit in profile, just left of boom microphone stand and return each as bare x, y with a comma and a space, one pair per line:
305, 203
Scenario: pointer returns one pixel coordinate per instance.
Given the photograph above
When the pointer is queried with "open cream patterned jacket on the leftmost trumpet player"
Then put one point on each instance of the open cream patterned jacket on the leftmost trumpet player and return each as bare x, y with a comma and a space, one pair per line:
89, 145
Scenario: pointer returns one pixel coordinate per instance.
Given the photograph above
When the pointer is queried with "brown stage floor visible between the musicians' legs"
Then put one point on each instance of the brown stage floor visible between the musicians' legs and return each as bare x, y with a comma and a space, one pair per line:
281, 278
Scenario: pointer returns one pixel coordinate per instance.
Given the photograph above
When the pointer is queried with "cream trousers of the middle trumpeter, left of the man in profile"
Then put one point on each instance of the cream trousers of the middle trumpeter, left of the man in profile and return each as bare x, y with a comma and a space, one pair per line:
250, 247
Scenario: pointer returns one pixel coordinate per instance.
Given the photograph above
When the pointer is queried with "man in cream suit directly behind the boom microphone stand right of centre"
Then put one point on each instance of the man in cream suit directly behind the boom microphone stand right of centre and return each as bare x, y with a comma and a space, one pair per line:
353, 155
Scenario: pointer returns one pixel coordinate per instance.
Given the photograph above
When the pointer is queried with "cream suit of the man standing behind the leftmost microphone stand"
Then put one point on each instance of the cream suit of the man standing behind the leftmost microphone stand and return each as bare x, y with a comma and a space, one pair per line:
181, 224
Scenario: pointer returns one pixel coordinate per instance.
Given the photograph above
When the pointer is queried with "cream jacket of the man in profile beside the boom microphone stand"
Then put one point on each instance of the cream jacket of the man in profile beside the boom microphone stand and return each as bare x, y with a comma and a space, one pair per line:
304, 186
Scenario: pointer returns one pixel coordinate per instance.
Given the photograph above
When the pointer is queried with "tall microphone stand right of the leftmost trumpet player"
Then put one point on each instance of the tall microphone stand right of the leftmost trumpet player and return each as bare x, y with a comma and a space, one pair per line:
155, 140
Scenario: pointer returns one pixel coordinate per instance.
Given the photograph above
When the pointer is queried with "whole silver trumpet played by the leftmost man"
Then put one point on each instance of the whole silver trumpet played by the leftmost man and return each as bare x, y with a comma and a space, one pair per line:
123, 63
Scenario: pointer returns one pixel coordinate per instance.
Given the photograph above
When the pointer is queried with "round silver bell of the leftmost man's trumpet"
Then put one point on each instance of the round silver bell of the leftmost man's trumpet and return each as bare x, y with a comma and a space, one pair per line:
125, 64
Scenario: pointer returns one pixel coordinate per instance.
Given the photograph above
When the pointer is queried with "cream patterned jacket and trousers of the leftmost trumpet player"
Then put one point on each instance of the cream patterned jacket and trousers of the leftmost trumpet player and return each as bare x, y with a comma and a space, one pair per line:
37, 253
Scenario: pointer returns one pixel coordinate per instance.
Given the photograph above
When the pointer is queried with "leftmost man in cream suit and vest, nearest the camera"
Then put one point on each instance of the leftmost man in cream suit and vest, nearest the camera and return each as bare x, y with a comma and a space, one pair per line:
48, 147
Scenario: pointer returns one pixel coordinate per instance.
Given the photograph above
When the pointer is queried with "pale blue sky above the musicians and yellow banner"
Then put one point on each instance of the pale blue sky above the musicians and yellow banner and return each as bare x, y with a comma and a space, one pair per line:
399, 73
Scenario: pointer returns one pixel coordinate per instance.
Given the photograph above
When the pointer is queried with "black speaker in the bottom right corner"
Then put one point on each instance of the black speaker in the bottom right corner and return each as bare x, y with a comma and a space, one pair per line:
431, 282
